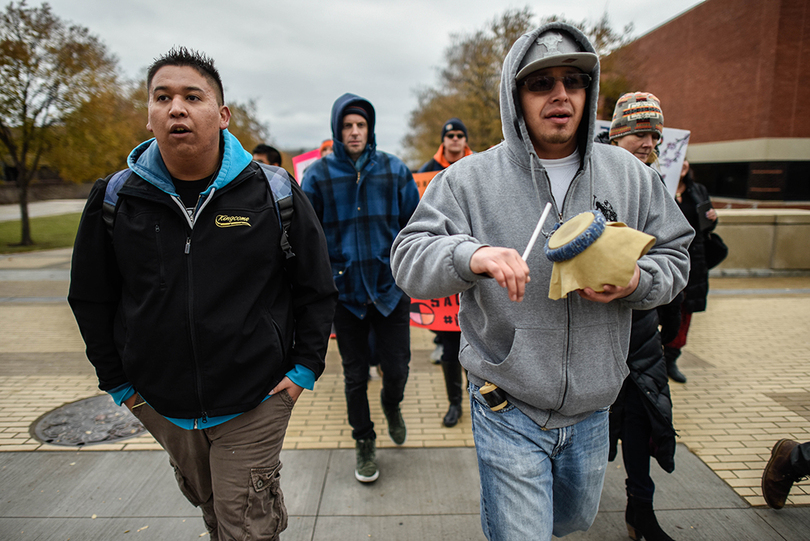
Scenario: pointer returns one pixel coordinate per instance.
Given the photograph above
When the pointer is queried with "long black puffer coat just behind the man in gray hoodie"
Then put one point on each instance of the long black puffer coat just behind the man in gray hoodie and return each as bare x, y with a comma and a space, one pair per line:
648, 372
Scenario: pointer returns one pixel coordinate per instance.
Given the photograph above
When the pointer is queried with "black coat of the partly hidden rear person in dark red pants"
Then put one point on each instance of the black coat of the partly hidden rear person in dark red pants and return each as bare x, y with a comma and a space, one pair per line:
698, 286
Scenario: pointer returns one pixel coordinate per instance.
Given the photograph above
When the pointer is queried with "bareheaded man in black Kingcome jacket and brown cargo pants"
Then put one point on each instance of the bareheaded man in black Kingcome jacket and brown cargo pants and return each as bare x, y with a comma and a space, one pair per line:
192, 315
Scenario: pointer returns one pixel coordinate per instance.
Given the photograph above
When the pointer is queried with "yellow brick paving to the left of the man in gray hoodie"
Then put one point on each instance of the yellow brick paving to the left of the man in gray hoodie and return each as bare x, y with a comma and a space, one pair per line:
318, 421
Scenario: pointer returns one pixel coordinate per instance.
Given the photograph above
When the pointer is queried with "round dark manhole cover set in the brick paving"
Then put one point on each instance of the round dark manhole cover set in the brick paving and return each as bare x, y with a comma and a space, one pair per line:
87, 421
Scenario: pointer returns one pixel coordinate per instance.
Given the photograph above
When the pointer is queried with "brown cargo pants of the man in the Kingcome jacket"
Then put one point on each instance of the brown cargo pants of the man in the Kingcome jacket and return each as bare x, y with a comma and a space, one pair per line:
230, 471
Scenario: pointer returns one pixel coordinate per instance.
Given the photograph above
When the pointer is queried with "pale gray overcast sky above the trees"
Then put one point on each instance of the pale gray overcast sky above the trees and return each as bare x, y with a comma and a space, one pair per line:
295, 57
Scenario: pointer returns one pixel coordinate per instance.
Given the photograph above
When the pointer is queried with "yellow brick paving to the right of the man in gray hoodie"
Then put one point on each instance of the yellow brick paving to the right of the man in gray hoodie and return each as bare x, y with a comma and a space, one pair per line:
748, 366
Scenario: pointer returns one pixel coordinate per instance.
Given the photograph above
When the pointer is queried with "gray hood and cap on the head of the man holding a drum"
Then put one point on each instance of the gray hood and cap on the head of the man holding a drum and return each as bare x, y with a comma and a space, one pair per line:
553, 44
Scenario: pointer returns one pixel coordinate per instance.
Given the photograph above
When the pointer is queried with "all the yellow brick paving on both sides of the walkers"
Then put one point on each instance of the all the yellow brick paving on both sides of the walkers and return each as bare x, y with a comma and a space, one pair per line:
747, 360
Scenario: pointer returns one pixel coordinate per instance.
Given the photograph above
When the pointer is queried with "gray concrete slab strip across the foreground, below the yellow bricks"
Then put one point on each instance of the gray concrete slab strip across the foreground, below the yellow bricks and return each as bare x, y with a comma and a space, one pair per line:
421, 494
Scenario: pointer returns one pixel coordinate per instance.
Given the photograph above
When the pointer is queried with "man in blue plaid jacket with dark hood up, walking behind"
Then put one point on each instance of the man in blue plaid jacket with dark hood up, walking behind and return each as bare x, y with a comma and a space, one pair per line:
363, 198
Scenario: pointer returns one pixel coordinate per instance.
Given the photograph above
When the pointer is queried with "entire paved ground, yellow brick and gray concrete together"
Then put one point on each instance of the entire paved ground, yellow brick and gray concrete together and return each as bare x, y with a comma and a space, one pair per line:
748, 364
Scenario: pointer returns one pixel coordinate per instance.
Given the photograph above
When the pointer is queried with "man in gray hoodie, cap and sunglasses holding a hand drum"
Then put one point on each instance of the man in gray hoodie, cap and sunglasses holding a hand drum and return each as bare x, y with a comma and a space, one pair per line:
559, 364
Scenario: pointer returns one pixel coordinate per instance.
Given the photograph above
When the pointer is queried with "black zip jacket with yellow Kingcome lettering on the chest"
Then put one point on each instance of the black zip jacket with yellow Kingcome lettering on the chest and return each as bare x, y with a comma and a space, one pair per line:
202, 321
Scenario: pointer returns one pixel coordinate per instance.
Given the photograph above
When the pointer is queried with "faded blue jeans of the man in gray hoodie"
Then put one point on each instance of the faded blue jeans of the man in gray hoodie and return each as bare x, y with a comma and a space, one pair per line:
535, 482
